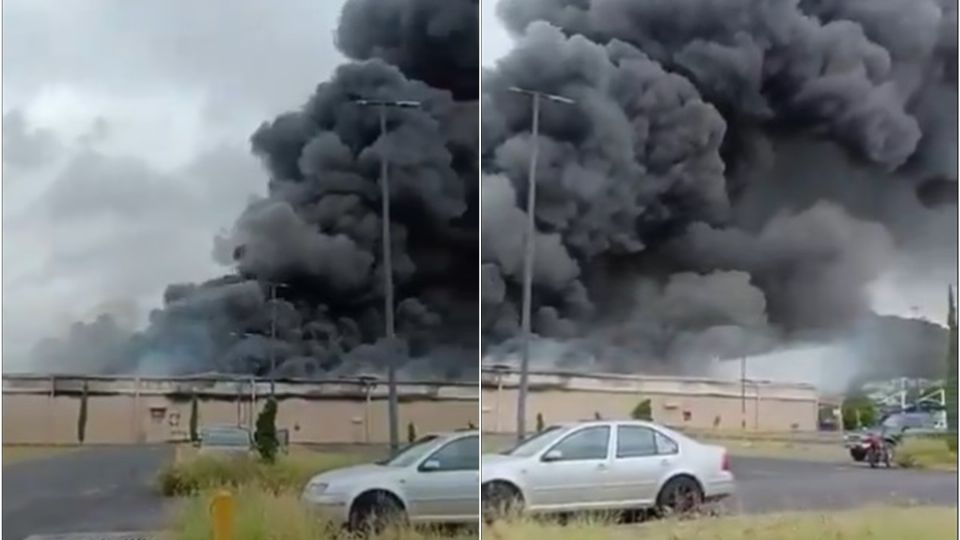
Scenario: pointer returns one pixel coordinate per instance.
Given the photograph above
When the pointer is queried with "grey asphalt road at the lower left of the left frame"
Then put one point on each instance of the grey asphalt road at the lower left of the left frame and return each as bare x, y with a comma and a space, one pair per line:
94, 490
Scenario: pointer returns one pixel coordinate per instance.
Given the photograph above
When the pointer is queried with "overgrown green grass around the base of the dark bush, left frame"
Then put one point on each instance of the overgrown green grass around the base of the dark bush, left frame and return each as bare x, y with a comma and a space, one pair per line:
192, 472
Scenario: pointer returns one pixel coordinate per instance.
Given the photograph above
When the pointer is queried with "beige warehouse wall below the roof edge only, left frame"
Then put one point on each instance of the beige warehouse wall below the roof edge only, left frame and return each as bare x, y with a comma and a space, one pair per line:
128, 419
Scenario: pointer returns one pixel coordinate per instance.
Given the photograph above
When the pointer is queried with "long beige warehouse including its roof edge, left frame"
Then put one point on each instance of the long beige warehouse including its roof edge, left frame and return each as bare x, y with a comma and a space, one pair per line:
44, 410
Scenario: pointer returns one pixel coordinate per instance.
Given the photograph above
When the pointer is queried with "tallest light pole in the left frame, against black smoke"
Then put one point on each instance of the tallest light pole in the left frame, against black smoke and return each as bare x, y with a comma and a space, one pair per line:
393, 407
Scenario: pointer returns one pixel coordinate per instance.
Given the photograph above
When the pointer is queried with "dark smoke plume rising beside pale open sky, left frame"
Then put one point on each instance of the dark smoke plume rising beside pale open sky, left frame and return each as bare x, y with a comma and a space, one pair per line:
318, 232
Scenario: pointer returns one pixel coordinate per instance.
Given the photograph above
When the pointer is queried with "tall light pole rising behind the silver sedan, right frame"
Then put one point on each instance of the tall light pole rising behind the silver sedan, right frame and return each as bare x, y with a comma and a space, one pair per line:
537, 97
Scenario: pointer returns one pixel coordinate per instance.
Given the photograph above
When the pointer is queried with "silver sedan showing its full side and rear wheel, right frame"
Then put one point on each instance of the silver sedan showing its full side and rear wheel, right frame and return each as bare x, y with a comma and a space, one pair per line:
605, 465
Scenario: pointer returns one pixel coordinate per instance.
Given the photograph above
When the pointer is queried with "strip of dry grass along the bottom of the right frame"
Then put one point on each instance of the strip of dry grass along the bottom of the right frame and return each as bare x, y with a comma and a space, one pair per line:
886, 523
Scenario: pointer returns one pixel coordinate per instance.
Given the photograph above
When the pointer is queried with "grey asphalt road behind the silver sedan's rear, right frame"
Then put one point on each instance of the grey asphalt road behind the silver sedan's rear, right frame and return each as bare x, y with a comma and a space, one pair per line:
766, 485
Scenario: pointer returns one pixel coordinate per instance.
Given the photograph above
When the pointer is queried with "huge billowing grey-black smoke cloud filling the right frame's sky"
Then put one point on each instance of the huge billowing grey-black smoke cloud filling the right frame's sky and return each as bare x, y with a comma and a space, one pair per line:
731, 180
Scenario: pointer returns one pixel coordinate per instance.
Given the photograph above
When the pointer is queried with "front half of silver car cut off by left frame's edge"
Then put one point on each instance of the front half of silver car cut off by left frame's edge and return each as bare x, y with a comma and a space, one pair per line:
435, 480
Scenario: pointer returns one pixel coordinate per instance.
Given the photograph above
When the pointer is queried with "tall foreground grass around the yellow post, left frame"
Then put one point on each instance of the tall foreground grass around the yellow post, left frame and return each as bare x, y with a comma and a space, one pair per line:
262, 516
